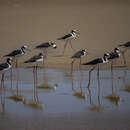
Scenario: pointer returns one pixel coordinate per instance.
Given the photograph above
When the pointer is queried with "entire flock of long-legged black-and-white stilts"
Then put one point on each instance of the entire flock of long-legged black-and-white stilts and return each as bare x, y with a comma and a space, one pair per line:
14, 55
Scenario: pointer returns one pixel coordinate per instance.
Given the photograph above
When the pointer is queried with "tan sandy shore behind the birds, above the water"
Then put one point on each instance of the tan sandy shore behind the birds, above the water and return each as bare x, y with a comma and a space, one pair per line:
102, 27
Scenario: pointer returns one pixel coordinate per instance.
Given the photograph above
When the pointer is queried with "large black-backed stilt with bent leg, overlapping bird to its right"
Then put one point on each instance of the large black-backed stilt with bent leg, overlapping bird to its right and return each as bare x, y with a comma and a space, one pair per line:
96, 62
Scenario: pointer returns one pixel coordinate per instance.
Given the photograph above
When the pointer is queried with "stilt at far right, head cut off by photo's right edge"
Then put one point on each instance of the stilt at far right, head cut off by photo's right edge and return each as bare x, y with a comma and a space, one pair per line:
125, 46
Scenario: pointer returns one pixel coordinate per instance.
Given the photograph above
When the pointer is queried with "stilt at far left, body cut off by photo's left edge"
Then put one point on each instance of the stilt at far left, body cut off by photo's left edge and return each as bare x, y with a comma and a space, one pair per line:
3, 68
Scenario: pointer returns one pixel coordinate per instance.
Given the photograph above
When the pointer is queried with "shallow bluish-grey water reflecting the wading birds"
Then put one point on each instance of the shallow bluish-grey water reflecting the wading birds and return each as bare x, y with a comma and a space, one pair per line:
63, 110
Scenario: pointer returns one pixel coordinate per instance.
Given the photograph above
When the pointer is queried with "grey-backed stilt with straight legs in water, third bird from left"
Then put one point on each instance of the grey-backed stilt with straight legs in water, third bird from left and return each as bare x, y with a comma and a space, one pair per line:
35, 60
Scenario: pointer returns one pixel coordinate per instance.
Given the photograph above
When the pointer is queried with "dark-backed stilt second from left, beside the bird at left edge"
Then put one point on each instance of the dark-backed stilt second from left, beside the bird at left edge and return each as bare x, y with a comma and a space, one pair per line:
14, 54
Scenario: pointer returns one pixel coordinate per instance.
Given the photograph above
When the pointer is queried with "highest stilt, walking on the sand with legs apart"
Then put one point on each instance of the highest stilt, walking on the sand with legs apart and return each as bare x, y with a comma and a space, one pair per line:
68, 38
